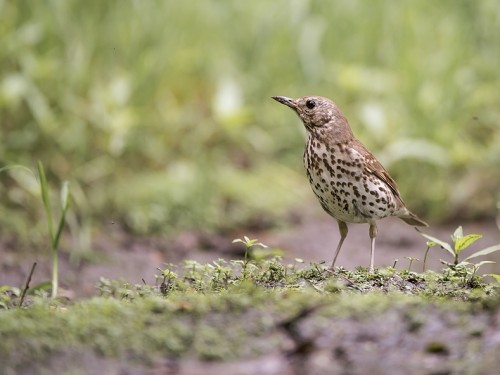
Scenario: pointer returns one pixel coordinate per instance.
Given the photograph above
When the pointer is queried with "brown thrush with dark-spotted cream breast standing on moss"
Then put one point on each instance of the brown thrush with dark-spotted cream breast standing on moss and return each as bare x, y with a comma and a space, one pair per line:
351, 185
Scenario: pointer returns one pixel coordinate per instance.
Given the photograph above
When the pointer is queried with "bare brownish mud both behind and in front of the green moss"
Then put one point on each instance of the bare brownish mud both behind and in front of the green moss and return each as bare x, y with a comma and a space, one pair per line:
402, 338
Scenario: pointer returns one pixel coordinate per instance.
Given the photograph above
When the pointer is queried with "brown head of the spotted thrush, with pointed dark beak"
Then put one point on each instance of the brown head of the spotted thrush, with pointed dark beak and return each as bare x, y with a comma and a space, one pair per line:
320, 116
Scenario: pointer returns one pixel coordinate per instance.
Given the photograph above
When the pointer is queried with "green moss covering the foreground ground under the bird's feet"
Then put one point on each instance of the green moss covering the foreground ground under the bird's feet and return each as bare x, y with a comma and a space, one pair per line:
243, 317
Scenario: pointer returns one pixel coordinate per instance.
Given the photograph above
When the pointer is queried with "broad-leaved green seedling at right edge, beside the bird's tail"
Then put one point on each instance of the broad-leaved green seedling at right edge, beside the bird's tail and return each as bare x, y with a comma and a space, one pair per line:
460, 243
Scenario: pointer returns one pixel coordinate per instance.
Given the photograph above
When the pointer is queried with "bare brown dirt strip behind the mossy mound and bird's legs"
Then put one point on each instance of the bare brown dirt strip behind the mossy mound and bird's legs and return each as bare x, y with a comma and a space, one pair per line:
116, 254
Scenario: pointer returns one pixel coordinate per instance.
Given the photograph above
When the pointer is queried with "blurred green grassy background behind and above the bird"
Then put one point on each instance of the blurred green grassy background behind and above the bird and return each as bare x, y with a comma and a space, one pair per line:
159, 112
